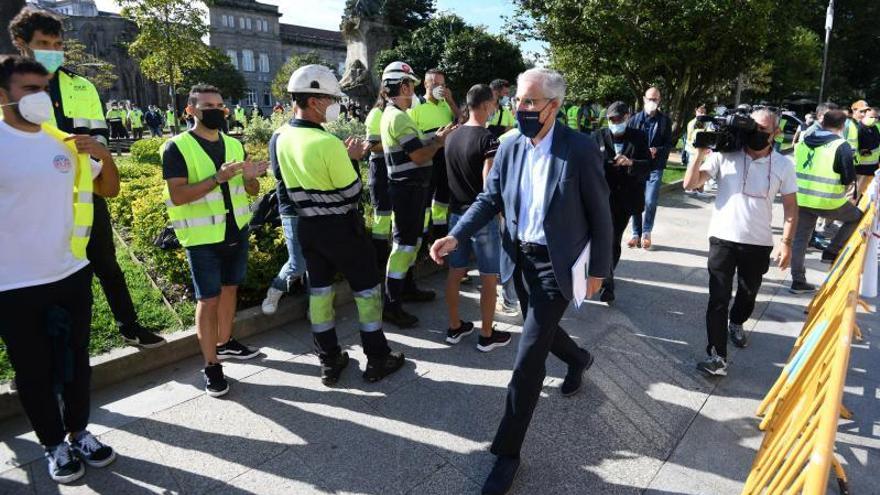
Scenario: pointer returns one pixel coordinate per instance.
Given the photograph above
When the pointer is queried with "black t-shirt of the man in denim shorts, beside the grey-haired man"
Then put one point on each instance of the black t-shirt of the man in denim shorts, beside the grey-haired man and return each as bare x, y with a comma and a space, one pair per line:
466, 151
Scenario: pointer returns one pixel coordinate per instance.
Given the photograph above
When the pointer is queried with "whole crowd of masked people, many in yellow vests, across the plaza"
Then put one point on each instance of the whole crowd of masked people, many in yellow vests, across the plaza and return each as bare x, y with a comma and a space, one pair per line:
522, 186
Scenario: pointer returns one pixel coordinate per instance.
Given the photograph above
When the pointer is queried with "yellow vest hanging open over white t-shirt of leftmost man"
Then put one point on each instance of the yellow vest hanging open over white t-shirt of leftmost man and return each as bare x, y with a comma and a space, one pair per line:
83, 209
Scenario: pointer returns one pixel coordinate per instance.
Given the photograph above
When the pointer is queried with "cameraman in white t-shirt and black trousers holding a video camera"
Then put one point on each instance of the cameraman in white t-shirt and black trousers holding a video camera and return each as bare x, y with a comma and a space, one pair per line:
740, 237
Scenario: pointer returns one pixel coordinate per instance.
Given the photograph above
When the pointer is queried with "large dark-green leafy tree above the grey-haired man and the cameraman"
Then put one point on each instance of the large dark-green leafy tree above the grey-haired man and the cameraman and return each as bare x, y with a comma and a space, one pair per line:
689, 48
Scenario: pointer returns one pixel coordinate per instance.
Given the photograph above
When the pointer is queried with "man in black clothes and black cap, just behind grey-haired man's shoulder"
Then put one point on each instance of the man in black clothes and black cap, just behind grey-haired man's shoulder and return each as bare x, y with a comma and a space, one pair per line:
627, 165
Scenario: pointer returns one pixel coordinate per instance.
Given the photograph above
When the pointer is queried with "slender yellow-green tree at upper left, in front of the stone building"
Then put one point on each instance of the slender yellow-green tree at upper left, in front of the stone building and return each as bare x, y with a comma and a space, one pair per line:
169, 40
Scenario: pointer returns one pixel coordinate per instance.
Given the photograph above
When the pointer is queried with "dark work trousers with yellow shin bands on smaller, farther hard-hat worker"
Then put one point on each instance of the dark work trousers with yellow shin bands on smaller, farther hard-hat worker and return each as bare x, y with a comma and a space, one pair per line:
407, 204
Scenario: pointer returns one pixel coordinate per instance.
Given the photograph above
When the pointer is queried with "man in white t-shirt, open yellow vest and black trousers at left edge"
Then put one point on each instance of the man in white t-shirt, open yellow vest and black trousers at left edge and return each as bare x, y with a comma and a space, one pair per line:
45, 278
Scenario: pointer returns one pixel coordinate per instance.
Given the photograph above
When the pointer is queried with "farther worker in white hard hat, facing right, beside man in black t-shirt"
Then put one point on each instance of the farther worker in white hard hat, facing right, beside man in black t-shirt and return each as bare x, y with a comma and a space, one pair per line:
408, 156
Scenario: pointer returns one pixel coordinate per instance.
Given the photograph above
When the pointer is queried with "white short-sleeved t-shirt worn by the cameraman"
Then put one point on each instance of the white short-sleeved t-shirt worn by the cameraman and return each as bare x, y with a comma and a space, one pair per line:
743, 208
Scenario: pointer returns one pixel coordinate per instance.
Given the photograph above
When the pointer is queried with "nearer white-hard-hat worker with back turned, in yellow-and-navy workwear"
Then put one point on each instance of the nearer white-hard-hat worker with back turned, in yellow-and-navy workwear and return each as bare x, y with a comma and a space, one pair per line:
317, 178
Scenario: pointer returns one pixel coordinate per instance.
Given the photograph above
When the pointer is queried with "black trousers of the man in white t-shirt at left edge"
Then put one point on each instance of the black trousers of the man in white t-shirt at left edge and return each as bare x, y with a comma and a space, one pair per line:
44, 357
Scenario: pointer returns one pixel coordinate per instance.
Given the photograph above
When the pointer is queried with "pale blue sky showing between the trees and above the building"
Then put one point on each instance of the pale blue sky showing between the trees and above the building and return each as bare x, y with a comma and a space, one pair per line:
325, 14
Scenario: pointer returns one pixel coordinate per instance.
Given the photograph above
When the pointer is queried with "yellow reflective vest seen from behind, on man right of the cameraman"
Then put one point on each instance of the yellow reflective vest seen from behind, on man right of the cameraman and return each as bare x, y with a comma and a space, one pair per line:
819, 185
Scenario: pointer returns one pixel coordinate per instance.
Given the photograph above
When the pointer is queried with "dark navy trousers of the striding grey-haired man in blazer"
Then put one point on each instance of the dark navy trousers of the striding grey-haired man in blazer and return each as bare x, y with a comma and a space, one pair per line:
542, 305
